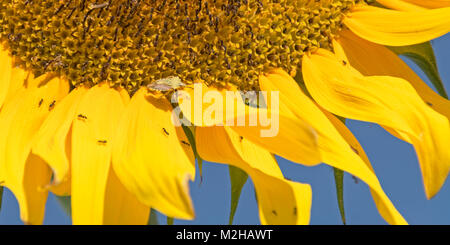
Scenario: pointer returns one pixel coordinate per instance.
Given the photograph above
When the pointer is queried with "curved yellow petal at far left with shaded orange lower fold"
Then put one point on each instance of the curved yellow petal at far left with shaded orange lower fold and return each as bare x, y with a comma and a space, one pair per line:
20, 119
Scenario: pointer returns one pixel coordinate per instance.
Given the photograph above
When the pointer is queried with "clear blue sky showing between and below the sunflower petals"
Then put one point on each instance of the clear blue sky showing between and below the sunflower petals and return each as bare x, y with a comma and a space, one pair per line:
394, 162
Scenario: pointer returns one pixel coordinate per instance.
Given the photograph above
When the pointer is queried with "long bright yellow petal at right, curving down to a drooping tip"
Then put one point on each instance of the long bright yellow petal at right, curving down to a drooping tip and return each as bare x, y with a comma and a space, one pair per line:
388, 101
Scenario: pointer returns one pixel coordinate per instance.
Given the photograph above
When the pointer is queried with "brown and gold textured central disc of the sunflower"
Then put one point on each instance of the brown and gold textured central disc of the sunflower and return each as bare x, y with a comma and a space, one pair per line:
134, 43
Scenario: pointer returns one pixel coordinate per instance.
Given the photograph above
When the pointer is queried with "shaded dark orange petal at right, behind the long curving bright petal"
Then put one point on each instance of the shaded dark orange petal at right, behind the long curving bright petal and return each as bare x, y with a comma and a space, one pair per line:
376, 60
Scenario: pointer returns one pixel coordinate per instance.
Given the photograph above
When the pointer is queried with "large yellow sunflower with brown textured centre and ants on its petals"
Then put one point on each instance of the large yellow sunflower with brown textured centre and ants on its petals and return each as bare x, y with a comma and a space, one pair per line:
78, 118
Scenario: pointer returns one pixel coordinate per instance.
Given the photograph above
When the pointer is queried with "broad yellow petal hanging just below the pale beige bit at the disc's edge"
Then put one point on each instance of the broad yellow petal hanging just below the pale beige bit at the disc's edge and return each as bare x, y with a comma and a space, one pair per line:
153, 158
